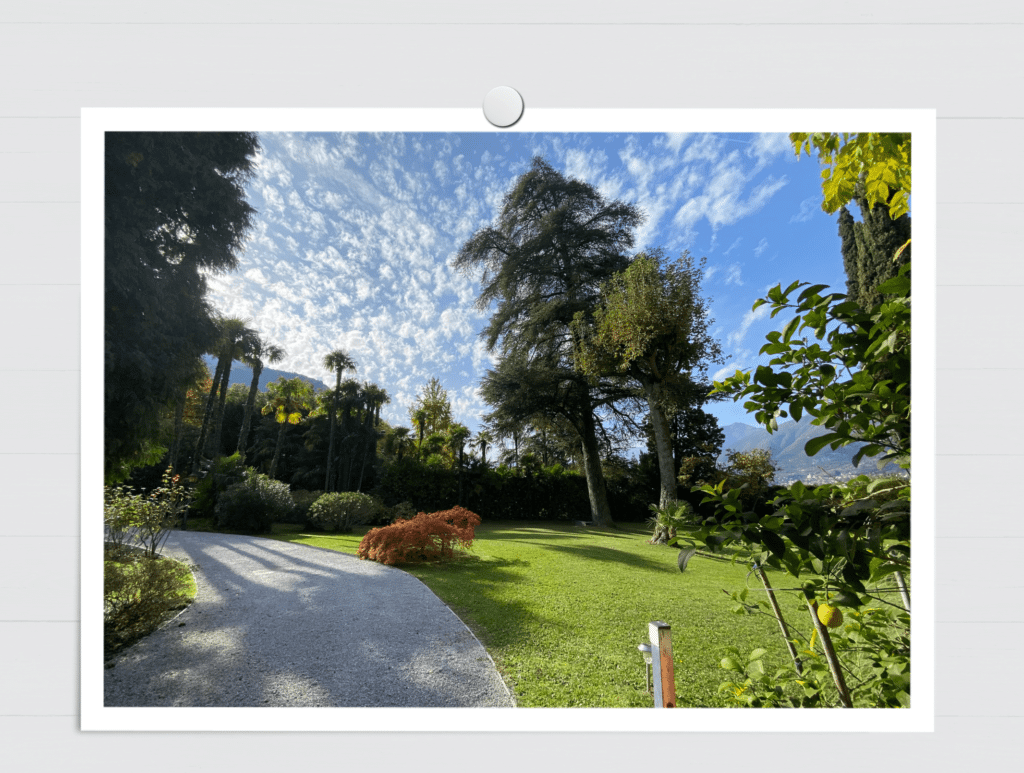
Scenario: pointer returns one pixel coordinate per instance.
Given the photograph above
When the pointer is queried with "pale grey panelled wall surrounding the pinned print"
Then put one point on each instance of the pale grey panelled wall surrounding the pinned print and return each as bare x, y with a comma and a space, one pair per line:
963, 60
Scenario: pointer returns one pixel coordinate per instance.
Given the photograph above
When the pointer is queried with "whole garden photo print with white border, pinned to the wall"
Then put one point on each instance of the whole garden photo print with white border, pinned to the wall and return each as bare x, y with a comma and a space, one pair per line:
516, 419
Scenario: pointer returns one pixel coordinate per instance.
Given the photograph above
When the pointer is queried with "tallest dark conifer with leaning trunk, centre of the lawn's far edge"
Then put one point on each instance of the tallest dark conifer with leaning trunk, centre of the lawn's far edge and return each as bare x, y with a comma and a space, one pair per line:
556, 241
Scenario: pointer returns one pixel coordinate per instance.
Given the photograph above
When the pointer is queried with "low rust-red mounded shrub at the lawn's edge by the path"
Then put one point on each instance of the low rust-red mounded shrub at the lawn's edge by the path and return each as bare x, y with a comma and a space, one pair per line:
429, 537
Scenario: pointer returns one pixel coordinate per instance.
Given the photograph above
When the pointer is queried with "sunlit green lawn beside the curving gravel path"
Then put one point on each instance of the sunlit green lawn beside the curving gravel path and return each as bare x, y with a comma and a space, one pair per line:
562, 610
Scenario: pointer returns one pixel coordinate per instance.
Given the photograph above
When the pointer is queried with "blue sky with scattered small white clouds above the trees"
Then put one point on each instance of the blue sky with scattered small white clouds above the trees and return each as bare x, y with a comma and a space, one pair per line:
356, 235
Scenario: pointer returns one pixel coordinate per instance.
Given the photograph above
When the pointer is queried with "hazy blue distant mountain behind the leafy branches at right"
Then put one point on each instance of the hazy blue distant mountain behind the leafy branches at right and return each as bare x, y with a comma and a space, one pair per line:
787, 446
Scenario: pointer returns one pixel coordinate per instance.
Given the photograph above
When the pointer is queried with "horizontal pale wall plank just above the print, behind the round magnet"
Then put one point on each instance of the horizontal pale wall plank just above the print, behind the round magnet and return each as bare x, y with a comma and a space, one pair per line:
445, 66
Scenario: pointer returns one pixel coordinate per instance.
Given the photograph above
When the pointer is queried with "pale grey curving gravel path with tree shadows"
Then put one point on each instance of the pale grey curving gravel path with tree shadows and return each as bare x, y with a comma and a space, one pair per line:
282, 625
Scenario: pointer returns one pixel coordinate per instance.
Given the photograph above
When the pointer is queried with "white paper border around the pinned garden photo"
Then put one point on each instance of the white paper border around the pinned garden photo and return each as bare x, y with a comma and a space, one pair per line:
919, 718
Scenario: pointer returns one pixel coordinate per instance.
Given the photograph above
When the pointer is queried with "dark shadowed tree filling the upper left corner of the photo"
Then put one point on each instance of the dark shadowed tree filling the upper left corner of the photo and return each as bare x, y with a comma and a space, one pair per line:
175, 209
